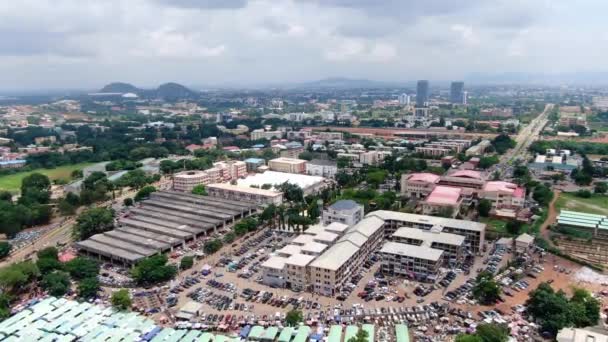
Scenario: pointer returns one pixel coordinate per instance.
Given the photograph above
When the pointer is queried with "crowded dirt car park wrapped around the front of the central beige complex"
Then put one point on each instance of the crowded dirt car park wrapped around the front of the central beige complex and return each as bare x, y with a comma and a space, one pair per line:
228, 286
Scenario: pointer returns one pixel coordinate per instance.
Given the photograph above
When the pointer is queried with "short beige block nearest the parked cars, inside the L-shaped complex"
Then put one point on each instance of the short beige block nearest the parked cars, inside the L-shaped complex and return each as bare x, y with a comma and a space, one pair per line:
411, 261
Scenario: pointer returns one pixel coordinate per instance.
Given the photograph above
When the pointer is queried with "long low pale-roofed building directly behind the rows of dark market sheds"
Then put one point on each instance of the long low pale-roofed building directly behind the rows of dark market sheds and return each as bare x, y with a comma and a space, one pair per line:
240, 193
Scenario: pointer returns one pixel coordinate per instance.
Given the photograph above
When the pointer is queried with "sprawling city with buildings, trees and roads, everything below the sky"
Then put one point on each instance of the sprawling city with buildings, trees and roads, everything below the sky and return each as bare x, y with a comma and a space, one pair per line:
328, 212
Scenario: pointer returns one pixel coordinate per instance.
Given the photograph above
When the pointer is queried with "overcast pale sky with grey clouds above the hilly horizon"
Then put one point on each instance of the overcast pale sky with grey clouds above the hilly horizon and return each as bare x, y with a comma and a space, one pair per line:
87, 43
